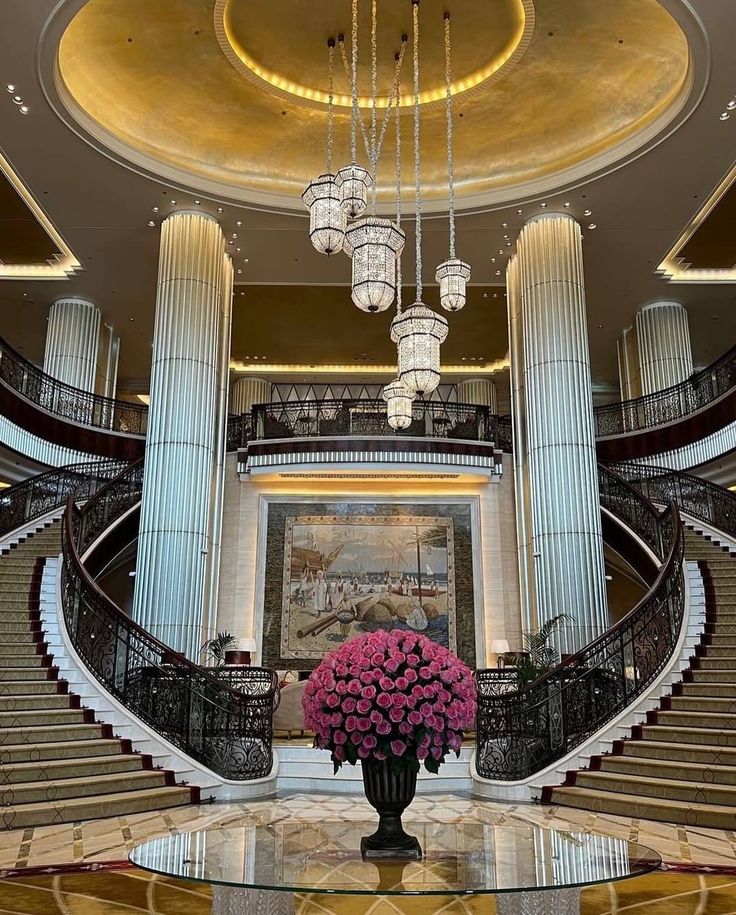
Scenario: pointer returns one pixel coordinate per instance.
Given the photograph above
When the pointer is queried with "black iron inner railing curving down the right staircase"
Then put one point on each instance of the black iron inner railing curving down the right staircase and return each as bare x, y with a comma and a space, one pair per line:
521, 731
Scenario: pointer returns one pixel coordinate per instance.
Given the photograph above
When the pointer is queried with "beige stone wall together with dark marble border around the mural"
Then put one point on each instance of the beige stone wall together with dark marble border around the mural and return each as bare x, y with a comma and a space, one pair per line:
487, 579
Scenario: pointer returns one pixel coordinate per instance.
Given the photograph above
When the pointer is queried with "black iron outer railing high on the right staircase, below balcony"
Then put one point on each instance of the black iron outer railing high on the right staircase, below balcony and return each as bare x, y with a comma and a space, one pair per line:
698, 498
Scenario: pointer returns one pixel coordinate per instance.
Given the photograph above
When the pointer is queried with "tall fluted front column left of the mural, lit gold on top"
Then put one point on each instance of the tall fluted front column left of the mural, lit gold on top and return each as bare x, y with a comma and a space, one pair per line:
180, 482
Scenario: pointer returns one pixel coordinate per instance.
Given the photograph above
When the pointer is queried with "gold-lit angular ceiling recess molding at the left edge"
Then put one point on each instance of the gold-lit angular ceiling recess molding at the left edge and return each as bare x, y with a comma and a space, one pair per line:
61, 264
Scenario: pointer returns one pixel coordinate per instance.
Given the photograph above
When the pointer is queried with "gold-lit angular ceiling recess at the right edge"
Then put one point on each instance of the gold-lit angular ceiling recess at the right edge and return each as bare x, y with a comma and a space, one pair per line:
698, 239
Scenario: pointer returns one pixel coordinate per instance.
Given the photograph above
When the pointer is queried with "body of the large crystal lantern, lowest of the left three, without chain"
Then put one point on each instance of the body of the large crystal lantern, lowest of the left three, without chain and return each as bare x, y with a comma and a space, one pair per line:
374, 244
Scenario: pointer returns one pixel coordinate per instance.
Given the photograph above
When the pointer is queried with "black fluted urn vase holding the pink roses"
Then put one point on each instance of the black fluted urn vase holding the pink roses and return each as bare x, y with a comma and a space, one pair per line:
389, 789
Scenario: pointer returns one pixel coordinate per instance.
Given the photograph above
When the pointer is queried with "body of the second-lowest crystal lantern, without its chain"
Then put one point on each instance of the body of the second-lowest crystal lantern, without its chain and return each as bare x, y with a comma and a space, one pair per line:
418, 333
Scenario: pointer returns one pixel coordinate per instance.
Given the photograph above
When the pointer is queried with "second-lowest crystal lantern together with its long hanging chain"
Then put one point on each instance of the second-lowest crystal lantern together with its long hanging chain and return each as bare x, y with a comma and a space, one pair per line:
419, 331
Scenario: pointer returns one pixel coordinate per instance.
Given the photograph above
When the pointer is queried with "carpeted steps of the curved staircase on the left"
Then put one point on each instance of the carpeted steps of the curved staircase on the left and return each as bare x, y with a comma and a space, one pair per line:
57, 762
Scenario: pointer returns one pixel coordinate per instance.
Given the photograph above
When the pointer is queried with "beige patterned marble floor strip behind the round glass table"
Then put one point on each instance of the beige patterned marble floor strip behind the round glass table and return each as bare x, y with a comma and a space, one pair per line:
108, 842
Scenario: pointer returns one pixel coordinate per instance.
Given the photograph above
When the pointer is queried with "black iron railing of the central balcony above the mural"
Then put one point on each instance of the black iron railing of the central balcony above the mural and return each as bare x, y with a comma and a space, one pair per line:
367, 417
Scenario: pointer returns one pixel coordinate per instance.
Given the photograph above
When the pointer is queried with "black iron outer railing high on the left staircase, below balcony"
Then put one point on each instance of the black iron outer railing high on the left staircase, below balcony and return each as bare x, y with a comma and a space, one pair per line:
35, 497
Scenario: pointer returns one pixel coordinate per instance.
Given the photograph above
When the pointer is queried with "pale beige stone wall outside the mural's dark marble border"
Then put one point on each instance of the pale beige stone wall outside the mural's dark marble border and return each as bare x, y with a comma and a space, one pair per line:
497, 585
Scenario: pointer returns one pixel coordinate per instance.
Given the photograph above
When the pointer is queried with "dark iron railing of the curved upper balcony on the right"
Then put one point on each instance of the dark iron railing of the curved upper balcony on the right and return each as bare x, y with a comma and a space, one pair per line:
671, 404
